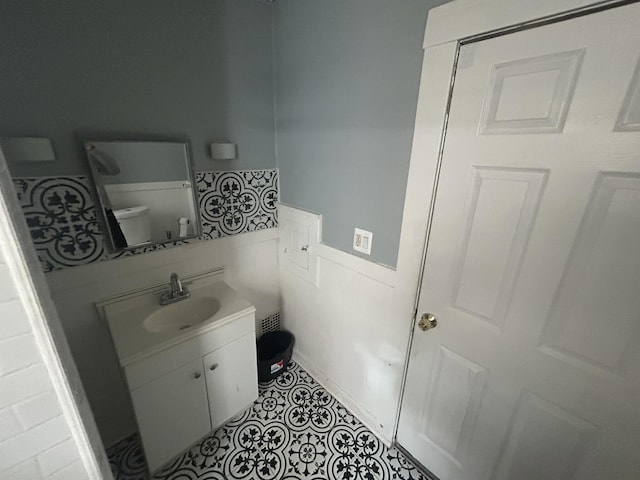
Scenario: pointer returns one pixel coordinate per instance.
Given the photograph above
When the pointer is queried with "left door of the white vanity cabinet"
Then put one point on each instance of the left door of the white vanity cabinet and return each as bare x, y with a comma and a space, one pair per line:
172, 412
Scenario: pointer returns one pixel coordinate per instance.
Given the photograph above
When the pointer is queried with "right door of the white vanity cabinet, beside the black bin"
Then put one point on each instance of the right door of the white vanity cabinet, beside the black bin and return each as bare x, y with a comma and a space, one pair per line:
232, 379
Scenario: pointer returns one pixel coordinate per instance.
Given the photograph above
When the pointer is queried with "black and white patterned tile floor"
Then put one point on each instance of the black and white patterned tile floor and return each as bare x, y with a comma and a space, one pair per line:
295, 430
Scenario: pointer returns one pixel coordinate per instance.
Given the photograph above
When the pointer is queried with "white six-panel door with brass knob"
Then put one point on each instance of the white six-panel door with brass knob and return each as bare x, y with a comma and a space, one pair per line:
533, 262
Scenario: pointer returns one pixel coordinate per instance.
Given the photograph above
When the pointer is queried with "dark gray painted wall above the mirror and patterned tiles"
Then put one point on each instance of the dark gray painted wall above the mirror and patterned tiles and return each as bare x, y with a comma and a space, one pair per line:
143, 69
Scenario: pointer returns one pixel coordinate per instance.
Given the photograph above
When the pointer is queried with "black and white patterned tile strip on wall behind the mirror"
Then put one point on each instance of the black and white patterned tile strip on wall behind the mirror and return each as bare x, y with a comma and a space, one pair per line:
62, 216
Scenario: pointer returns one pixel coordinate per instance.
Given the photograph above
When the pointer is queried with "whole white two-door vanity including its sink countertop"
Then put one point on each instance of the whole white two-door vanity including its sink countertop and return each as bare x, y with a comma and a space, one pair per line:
190, 366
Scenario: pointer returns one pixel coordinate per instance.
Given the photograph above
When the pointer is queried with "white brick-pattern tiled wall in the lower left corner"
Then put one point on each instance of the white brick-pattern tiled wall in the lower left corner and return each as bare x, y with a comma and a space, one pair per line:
35, 439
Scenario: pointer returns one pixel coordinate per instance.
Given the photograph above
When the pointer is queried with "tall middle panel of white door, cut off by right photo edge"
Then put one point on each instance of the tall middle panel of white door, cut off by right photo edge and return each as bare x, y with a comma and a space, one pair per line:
594, 319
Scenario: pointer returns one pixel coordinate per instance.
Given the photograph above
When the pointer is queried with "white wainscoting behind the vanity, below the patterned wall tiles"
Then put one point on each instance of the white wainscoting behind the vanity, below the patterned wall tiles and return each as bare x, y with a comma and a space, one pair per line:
250, 262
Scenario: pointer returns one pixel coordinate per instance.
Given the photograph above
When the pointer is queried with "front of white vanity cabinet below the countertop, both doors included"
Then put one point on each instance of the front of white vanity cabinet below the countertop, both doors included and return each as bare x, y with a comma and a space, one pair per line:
183, 392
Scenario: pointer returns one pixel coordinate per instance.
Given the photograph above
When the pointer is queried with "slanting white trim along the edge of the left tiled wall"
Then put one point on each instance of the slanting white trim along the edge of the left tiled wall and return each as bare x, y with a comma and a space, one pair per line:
23, 263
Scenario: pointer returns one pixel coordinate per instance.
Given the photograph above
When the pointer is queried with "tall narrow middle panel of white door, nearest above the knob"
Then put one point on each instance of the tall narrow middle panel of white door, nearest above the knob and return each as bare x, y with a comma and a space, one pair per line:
500, 213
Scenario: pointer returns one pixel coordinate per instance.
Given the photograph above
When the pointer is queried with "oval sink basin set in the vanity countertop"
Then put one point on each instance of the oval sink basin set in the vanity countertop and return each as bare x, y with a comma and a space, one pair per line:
181, 315
